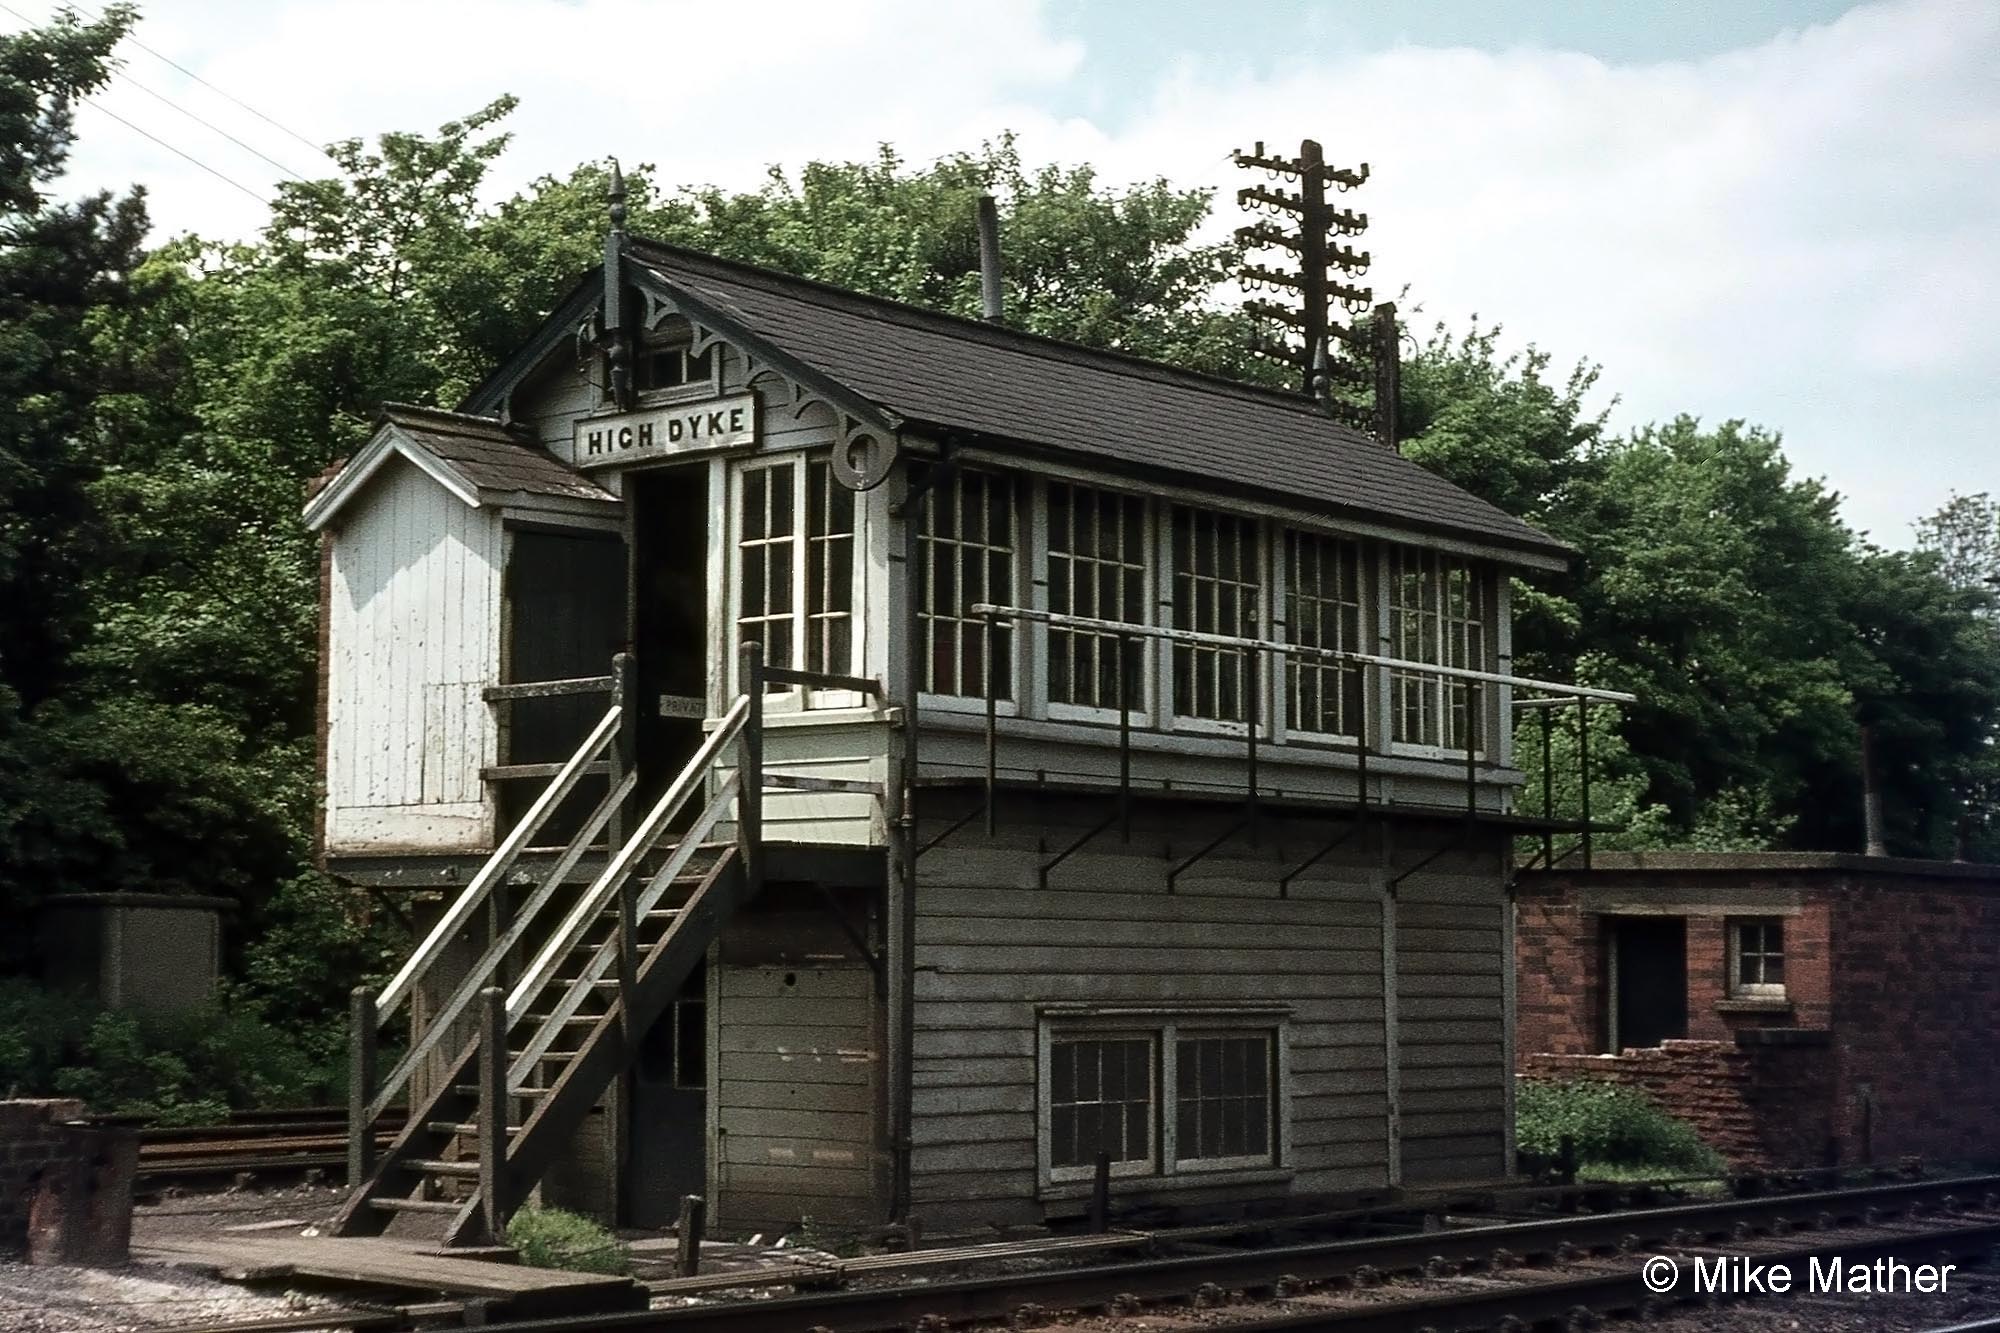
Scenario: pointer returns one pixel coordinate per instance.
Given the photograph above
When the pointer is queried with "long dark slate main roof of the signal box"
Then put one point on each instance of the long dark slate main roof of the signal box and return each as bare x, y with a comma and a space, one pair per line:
951, 373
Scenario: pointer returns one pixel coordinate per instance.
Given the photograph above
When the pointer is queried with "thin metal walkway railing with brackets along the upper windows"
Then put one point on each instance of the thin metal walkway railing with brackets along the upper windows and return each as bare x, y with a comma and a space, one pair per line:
1367, 742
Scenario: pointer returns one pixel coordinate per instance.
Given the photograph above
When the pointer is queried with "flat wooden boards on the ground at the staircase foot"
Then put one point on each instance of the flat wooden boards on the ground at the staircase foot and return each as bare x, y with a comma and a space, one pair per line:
513, 1290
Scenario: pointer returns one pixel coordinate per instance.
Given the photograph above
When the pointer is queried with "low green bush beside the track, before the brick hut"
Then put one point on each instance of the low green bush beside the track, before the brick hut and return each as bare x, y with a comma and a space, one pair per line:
1613, 1126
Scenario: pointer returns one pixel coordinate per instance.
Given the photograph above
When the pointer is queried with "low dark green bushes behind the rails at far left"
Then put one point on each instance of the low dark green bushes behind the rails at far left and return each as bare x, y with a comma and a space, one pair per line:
185, 1070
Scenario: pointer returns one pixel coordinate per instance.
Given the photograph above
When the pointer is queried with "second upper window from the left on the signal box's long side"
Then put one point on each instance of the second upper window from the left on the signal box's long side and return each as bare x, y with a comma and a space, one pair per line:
1097, 567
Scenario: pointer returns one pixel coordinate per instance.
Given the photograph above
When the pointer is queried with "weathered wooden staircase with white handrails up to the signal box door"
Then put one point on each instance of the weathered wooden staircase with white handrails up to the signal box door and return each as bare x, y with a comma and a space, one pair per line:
603, 966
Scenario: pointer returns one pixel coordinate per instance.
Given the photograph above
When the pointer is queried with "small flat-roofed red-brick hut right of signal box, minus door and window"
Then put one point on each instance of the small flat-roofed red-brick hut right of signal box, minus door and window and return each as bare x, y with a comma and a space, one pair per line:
1883, 1042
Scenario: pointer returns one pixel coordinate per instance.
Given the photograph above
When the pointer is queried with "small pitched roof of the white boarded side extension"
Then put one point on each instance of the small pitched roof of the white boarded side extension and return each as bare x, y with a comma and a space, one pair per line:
473, 457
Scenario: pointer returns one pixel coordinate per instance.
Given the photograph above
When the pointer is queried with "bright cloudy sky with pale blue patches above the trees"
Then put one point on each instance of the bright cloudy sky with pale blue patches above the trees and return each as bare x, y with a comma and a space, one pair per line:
1779, 211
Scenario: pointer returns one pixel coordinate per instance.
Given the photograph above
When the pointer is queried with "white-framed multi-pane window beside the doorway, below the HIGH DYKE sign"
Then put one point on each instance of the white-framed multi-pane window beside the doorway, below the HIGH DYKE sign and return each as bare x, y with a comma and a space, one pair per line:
791, 599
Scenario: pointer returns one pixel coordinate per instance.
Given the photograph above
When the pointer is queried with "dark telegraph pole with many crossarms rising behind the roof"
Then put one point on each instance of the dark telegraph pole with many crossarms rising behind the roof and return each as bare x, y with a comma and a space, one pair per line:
1329, 353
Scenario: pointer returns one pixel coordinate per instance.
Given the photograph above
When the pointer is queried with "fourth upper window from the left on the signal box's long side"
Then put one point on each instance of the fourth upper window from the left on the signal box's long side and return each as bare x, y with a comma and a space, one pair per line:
1323, 609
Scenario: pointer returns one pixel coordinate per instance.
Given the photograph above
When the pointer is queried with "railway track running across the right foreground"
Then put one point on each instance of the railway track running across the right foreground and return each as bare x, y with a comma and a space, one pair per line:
1573, 1270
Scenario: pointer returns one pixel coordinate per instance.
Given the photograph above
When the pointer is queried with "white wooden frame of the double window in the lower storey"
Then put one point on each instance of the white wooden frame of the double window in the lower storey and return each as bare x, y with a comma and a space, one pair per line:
1165, 1028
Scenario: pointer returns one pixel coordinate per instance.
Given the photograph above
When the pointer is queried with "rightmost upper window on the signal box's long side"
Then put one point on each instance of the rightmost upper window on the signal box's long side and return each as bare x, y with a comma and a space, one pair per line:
1437, 613
